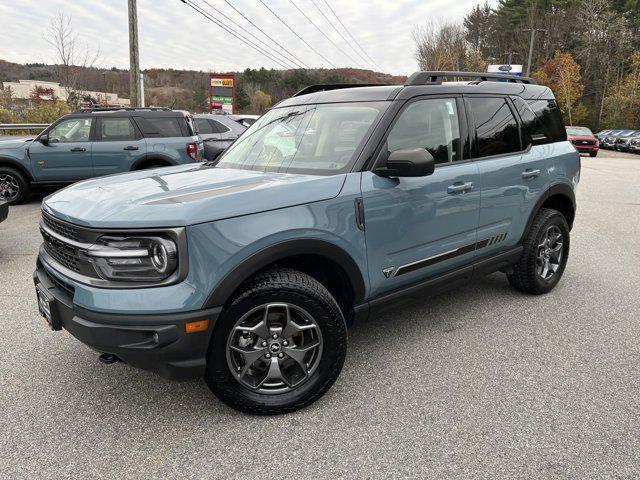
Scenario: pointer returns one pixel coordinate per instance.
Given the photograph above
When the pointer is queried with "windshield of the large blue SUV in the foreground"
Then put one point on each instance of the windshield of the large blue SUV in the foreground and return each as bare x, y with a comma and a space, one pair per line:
318, 139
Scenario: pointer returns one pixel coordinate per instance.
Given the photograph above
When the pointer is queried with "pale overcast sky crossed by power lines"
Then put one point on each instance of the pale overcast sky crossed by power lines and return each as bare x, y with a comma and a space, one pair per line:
173, 35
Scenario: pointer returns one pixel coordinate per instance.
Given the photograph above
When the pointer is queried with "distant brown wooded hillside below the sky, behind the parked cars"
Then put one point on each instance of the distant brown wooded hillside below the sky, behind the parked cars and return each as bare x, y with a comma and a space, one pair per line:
189, 89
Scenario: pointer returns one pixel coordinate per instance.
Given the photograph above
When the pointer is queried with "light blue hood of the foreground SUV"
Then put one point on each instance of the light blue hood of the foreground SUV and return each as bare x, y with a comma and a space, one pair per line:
184, 195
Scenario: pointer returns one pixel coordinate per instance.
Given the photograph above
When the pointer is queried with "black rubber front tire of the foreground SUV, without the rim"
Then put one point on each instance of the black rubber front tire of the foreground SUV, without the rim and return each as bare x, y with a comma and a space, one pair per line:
299, 290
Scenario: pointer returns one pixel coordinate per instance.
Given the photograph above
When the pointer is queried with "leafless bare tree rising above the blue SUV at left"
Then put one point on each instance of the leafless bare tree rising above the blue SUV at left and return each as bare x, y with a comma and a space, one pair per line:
71, 57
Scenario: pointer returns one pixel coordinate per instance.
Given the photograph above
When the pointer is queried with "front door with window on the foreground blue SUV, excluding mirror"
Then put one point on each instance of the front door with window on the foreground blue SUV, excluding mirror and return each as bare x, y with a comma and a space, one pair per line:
419, 227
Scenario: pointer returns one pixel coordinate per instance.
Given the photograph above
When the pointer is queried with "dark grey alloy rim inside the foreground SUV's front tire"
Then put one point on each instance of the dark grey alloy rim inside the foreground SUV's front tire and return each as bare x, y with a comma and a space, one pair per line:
274, 348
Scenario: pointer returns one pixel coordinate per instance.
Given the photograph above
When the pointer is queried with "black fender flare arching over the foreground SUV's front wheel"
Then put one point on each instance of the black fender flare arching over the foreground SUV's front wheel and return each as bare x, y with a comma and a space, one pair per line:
287, 248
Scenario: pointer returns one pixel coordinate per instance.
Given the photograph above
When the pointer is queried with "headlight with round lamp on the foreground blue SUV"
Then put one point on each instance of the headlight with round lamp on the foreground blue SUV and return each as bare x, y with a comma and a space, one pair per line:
135, 258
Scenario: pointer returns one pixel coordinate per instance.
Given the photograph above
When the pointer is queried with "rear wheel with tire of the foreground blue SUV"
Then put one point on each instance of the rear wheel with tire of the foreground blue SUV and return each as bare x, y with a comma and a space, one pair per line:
544, 255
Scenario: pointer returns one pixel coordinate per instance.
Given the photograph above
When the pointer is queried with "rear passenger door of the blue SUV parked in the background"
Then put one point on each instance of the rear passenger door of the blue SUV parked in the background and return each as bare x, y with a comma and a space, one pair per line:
118, 147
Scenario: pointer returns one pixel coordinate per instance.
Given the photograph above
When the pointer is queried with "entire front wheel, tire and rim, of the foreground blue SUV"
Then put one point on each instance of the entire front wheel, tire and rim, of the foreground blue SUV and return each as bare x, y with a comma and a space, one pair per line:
279, 346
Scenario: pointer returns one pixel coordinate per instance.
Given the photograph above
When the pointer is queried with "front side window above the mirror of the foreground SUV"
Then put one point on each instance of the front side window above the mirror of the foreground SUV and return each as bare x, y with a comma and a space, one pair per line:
431, 124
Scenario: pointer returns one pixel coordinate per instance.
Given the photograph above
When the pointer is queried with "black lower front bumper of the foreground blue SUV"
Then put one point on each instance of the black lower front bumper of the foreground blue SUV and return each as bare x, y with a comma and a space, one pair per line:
157, 343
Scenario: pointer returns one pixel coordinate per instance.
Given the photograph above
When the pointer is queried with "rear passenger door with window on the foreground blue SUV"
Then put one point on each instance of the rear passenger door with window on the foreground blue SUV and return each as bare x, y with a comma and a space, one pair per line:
512, 174
